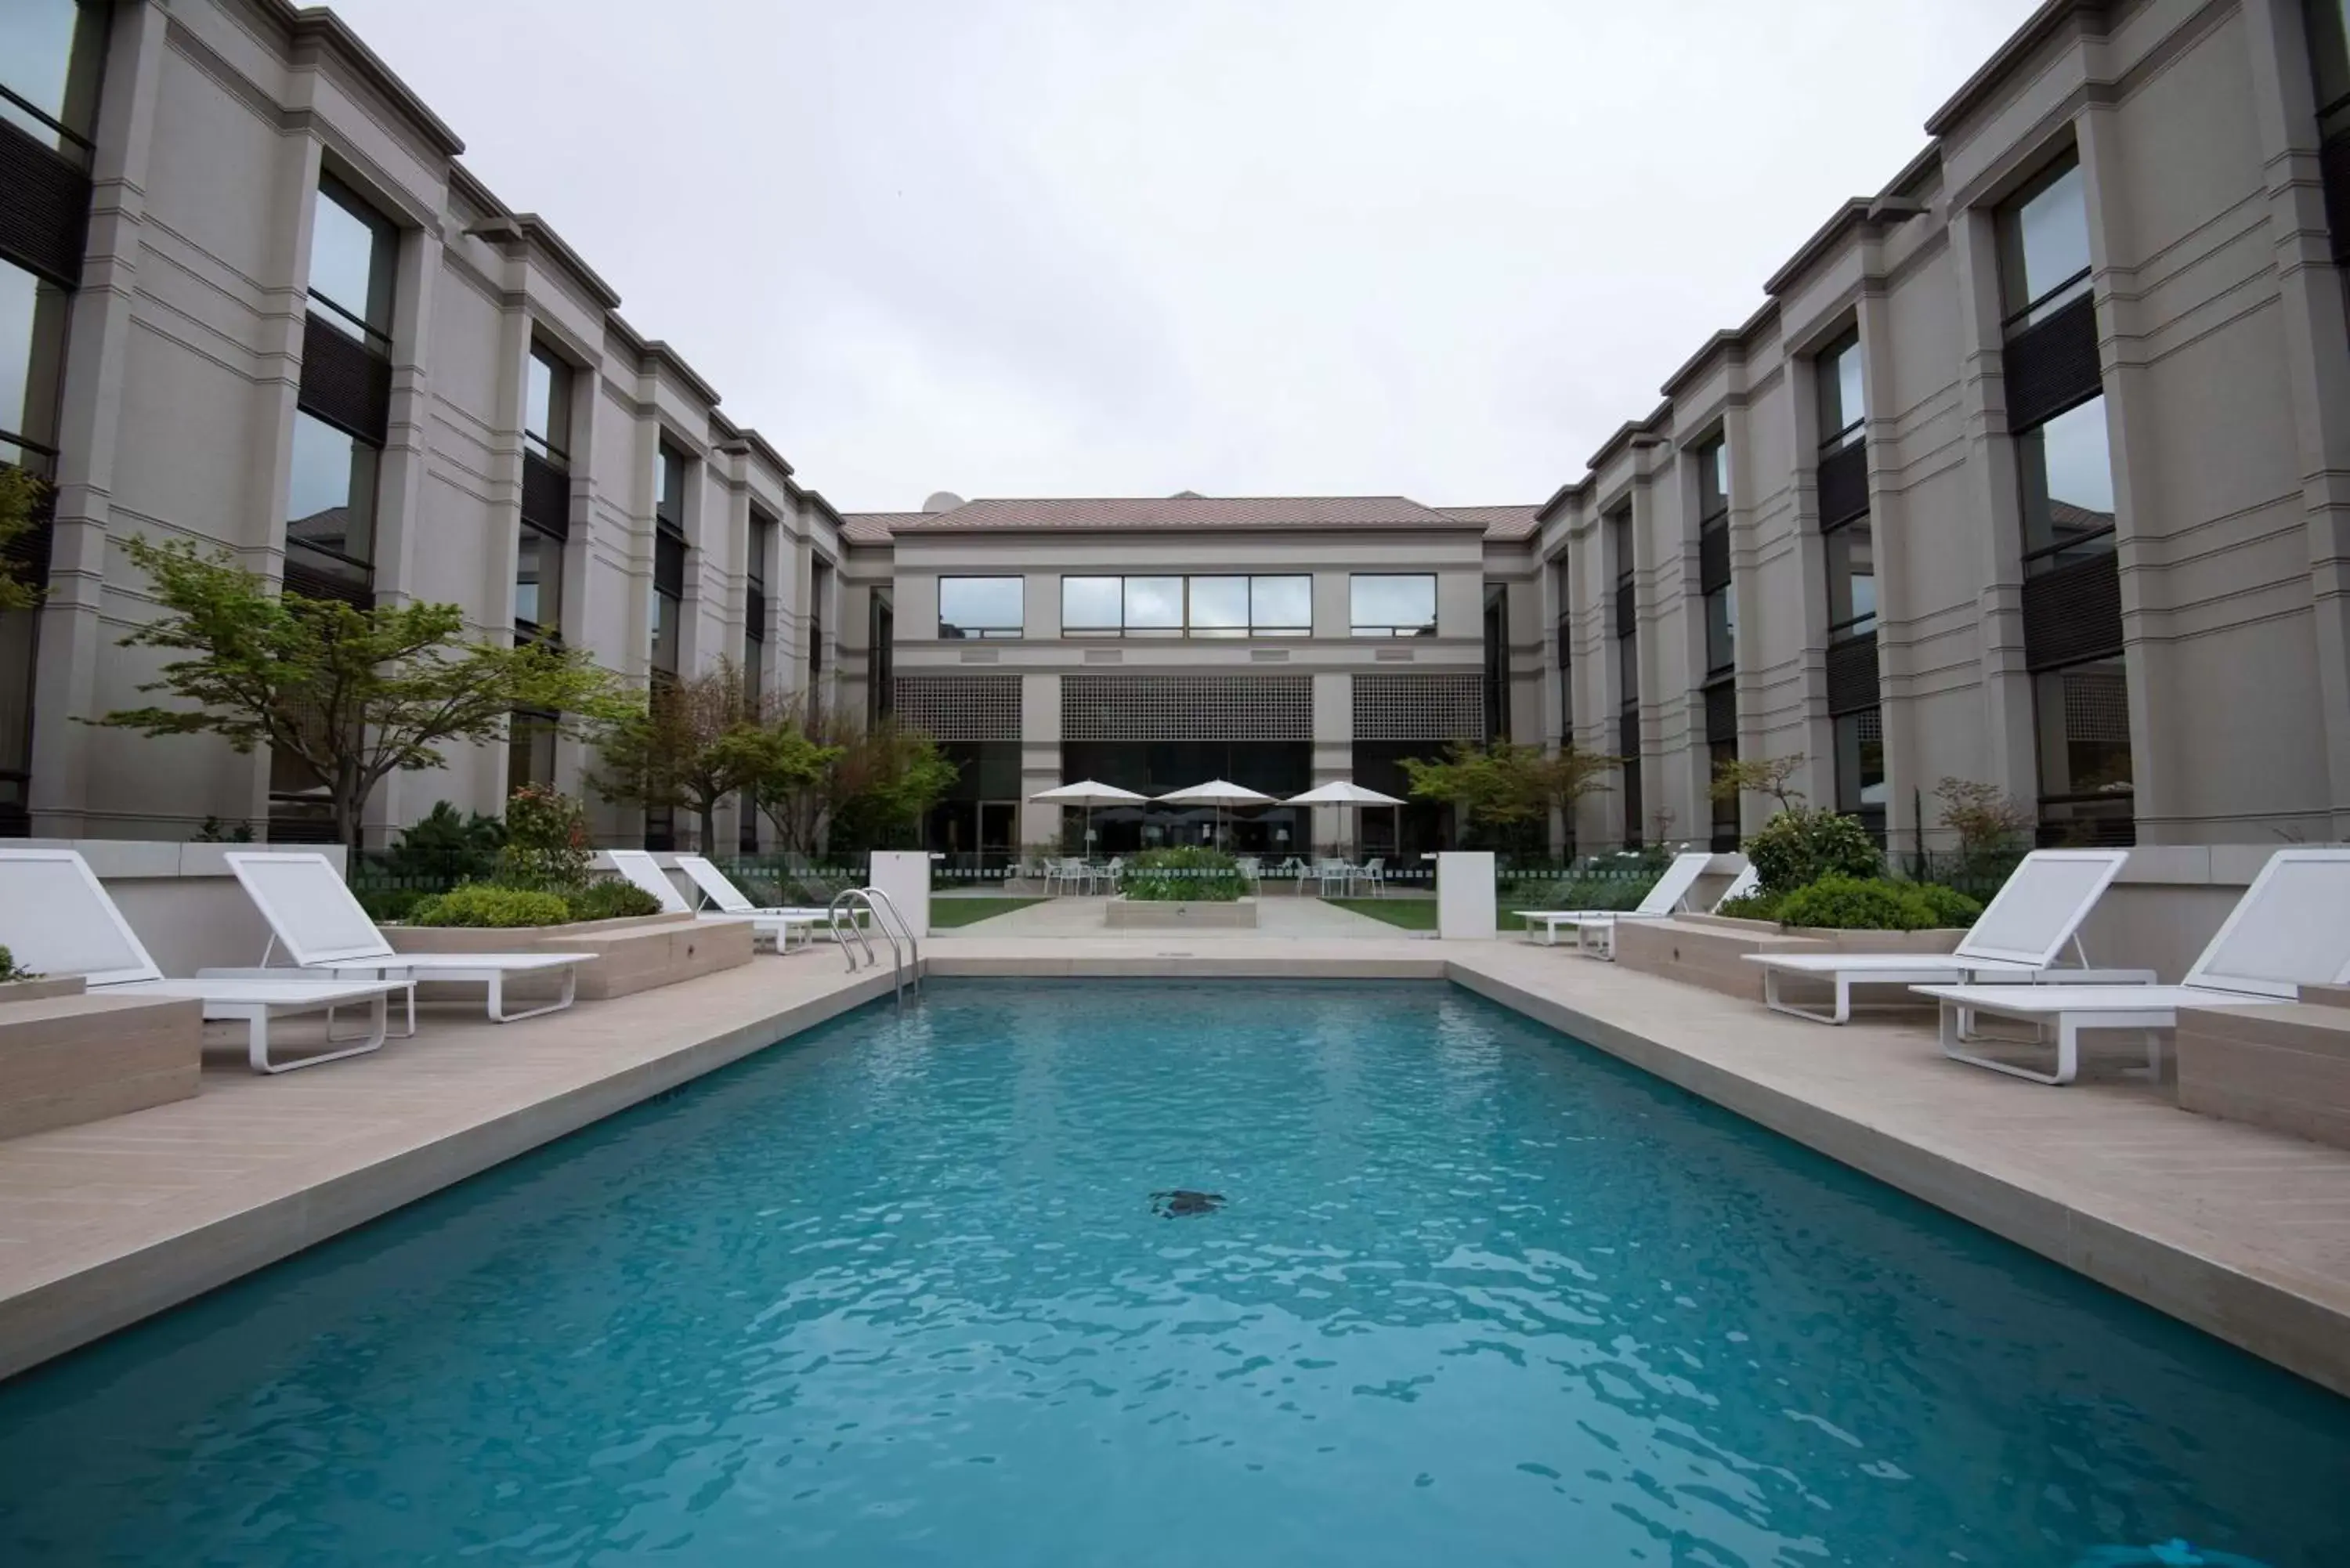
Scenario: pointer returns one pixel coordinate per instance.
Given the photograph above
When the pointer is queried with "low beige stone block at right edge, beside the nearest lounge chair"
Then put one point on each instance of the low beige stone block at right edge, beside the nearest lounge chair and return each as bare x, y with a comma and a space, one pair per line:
2285, 1068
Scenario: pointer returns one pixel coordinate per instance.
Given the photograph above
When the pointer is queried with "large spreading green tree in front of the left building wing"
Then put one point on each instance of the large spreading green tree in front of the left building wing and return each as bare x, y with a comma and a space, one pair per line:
351, 695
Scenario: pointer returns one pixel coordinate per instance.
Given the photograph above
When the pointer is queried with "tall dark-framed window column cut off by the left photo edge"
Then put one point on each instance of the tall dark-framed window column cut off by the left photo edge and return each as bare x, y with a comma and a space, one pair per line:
53, 55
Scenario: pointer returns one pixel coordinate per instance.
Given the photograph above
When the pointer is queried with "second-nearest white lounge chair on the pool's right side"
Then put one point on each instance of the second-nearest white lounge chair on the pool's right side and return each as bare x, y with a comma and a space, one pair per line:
2034, 918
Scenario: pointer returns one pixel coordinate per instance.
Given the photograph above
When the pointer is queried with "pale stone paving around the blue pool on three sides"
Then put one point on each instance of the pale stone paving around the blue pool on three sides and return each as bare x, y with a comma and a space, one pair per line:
2231, 1228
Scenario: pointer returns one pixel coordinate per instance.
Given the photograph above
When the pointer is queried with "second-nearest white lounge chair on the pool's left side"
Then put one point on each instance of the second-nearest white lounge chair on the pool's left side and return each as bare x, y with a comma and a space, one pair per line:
323, 930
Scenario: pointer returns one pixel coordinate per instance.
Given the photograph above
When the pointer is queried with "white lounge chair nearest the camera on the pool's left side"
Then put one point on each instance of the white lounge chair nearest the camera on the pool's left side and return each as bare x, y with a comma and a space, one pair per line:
55, 918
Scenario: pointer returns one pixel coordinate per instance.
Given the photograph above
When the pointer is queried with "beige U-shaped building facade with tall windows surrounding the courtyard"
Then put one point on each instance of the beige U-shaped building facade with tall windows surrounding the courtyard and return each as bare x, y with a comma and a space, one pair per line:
2034, 471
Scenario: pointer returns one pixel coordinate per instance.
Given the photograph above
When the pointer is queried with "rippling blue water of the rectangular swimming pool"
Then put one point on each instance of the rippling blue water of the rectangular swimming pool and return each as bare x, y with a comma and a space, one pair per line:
897, 1294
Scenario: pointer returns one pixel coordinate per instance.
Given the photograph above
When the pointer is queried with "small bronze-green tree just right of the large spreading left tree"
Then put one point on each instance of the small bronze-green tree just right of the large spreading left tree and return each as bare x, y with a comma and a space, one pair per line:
690, 749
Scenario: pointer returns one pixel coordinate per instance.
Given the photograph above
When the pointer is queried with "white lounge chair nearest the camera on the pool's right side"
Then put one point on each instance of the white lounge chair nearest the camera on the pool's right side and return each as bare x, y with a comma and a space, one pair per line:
2290, 930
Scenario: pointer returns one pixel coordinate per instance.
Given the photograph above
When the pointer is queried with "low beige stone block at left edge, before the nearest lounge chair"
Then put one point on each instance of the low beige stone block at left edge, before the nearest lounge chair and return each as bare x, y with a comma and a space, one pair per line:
72, 1059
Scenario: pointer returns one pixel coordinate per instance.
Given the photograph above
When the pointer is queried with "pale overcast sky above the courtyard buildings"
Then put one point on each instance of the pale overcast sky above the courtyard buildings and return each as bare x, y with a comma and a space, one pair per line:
1106, 248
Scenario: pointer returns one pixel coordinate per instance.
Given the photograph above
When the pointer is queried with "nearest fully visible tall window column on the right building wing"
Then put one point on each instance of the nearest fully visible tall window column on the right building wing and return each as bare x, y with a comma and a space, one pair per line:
2064, 471
